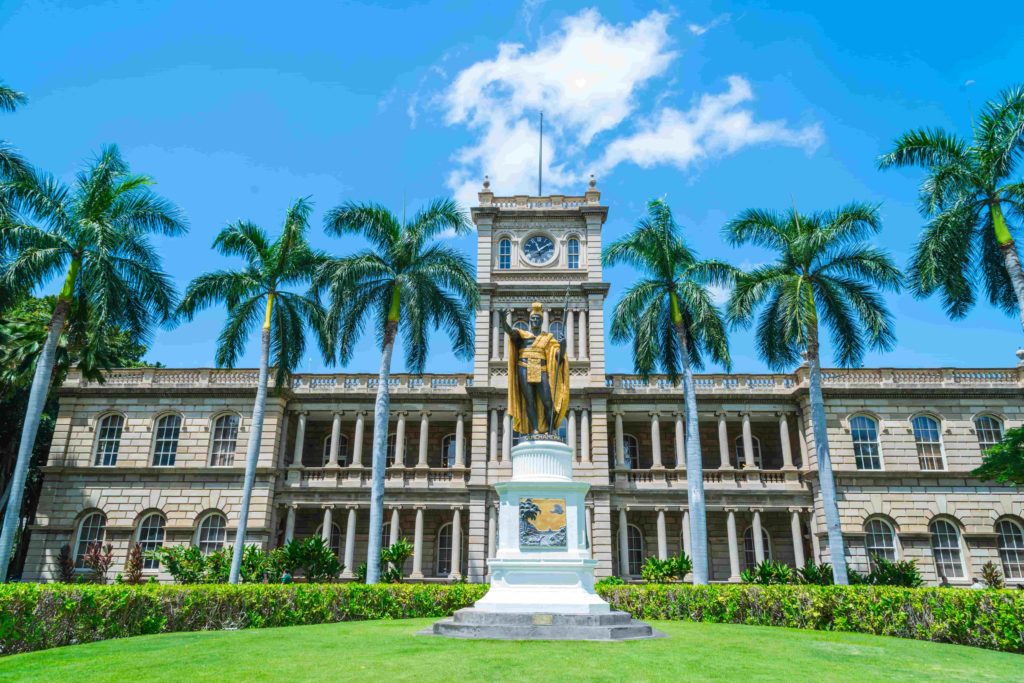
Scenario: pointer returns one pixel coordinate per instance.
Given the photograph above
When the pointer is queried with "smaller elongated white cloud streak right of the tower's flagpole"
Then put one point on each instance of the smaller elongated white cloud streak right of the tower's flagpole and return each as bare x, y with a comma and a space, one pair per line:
716, 125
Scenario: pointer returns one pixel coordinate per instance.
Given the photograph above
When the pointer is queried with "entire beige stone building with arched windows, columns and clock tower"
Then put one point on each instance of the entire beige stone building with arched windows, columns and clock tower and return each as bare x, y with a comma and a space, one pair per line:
156, 456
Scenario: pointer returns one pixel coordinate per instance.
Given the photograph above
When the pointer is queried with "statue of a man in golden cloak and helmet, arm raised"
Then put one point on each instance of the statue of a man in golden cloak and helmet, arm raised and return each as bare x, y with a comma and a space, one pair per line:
539, 377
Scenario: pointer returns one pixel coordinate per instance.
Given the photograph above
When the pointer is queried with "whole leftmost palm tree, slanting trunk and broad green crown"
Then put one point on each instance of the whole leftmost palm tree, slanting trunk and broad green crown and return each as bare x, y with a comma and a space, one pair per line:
97, 235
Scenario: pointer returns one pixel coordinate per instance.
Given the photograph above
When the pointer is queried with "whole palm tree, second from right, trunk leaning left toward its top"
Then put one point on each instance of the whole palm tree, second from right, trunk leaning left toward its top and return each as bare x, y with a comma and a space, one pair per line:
825, 273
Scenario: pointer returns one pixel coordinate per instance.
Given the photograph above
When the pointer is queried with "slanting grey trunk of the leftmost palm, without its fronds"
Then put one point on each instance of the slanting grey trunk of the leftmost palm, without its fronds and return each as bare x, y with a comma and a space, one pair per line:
33, 414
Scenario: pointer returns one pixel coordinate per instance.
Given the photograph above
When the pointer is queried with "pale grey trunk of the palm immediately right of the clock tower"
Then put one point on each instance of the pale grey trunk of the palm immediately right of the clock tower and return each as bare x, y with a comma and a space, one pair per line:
695, 468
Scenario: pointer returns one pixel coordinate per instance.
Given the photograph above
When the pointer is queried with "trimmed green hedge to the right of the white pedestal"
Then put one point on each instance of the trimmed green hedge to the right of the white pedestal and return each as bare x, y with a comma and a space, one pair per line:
991, 619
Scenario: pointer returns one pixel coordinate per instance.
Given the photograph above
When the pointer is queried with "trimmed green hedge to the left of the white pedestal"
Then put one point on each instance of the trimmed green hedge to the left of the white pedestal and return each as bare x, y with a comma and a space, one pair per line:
35, 617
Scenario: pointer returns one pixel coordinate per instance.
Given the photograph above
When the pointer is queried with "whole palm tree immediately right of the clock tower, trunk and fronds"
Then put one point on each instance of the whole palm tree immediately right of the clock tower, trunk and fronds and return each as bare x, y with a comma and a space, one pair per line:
671, 318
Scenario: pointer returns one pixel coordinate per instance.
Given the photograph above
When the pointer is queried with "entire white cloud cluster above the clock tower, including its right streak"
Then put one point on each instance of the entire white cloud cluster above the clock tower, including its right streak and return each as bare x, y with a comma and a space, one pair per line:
587, 77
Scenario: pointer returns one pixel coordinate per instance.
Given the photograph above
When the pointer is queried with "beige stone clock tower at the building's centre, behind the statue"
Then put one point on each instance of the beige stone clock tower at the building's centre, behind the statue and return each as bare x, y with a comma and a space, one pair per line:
545, 249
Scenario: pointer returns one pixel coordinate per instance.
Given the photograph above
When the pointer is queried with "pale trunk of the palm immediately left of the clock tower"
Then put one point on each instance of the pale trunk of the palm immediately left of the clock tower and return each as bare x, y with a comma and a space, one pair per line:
382, 414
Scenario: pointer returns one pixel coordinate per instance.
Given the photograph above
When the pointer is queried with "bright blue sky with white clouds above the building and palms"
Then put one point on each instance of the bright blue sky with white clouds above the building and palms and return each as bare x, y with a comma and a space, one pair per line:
238, 109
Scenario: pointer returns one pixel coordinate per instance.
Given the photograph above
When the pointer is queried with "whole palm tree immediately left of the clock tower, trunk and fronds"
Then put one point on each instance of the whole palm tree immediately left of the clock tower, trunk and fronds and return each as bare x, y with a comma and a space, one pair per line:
406, 283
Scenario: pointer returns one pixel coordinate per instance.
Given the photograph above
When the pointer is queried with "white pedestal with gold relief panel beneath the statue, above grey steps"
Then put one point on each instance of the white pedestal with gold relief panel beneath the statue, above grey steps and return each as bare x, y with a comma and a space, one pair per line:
548, 572
